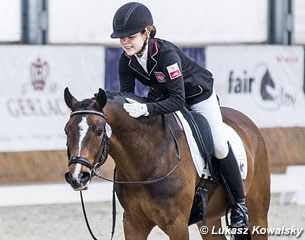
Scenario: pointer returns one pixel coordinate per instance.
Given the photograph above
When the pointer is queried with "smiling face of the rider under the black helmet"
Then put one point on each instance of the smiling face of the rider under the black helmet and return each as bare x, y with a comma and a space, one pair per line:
133, 44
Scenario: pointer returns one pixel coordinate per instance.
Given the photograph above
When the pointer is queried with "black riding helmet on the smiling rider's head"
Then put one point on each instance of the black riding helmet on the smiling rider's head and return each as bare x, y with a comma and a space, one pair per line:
130, 19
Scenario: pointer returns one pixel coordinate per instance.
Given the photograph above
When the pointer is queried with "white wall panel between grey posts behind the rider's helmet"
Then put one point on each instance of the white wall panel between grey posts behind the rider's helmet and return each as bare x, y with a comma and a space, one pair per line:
183, 22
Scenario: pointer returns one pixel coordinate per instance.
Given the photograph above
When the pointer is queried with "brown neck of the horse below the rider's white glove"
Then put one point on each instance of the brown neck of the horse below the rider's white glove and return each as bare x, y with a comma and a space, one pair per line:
134, 143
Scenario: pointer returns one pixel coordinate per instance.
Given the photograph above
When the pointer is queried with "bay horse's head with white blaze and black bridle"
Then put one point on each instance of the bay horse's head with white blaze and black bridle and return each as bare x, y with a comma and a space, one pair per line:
87, 138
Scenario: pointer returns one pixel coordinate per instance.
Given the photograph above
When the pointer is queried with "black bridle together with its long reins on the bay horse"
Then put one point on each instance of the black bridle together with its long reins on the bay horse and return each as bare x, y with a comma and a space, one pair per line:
104, 148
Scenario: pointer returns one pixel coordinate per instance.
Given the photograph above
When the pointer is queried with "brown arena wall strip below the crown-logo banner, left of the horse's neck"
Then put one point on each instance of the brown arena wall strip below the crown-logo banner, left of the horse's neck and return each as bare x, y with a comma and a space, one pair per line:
39, 167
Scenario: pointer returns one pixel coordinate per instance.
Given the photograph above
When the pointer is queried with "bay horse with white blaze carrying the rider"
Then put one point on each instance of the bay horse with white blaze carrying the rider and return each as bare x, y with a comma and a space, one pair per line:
155, 177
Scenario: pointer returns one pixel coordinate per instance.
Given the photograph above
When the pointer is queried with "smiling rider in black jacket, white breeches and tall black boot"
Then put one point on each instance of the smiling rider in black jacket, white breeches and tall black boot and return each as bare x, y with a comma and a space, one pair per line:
176, 81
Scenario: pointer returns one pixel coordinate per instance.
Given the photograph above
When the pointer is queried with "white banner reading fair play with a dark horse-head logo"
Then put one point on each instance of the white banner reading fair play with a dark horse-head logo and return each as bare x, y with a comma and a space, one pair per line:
264, 82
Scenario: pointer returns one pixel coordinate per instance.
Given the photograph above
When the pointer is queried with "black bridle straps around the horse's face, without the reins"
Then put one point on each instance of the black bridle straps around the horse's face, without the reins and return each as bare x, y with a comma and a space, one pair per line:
103, 150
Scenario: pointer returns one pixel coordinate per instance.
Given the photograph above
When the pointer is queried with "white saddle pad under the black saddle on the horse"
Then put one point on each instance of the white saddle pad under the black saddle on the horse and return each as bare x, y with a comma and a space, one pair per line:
234, 139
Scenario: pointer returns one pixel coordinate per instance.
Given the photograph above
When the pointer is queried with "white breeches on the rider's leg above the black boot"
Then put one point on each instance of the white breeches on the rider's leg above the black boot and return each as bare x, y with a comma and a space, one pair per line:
209, 108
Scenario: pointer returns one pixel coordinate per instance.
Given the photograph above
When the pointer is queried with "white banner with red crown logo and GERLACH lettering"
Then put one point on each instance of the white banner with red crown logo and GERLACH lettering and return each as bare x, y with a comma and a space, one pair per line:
33, 111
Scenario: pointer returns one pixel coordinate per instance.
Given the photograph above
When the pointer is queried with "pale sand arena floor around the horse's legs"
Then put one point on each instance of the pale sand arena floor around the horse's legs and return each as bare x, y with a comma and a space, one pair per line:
65, 221
